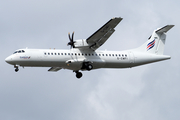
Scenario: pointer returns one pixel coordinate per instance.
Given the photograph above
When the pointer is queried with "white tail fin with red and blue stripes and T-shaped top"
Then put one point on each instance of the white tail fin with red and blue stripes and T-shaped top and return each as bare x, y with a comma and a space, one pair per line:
156, 42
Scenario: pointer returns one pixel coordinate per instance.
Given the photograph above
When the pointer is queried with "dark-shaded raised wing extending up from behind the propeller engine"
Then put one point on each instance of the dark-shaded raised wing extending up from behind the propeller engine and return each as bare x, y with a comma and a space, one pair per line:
101, 35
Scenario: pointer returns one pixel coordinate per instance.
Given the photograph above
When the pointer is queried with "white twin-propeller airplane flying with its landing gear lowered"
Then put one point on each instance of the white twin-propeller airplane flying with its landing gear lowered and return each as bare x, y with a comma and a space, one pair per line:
84, 56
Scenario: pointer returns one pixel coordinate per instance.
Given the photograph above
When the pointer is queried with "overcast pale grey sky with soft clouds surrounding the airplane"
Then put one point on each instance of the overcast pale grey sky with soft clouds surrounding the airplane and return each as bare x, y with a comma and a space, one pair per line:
148, 92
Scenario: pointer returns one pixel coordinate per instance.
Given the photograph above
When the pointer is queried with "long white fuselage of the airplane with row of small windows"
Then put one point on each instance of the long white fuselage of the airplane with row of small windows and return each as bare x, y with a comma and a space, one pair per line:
73, 59
